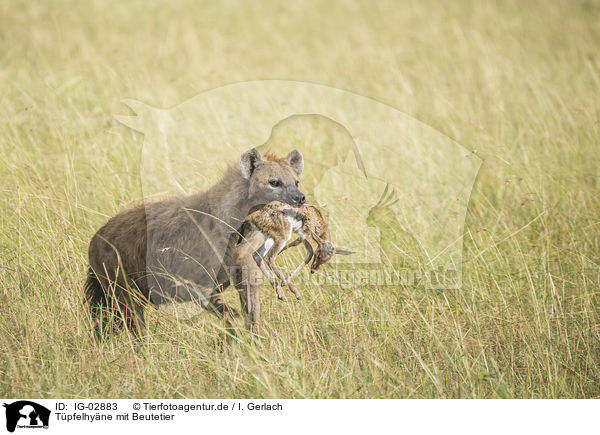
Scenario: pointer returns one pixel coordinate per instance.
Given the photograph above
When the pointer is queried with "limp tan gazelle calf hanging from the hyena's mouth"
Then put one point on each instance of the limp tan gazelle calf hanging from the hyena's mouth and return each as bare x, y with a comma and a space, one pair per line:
277, 221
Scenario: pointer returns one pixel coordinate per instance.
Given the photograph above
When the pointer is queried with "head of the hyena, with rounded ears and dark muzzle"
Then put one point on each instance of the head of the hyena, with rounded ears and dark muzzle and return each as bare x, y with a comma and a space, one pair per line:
273, 179
